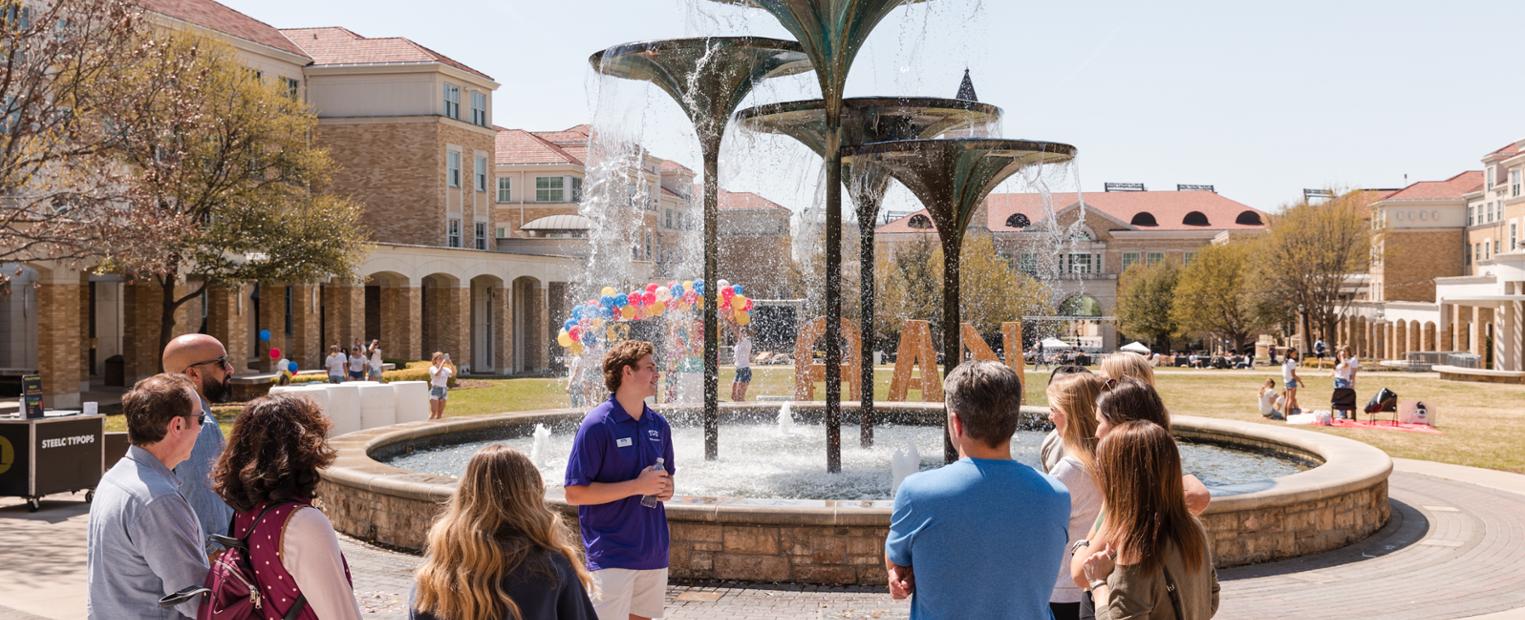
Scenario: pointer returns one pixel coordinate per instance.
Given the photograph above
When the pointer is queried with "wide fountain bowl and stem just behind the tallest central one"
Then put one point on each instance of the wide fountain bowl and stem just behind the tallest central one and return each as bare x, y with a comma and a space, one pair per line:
864, 121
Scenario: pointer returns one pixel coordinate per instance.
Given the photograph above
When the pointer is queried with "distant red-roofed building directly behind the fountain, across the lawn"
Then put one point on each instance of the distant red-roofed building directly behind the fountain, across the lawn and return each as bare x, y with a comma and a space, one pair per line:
1102, 235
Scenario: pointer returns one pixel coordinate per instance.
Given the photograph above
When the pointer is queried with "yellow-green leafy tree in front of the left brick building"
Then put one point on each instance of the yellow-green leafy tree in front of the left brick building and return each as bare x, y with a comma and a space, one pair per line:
223, 177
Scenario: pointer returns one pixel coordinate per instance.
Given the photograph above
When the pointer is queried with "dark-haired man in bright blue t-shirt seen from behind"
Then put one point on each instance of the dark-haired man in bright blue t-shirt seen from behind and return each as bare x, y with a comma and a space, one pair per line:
983, 537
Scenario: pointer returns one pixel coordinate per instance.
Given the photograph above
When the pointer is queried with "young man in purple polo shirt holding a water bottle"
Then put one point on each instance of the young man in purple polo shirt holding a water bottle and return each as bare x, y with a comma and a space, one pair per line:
609, 471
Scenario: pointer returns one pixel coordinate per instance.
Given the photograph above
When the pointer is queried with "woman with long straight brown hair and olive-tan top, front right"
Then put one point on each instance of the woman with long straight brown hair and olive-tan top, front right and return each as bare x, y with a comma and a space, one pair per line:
1151, 558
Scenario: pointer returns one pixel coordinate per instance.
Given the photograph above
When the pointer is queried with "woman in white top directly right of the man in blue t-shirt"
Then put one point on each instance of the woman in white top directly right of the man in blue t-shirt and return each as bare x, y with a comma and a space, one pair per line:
1073, 409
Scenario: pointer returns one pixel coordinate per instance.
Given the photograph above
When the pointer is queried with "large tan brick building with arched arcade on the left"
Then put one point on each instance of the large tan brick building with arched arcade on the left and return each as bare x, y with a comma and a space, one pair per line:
413, 138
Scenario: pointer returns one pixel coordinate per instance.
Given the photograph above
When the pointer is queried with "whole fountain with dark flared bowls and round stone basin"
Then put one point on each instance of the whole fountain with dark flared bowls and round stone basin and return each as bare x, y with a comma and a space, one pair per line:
765, 513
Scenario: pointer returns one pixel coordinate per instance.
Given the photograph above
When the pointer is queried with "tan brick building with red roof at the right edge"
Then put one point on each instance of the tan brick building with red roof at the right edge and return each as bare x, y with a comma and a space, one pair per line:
1448, 272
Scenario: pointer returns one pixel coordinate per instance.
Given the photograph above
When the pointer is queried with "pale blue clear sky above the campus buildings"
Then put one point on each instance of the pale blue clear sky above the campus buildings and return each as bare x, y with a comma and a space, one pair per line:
1260, 100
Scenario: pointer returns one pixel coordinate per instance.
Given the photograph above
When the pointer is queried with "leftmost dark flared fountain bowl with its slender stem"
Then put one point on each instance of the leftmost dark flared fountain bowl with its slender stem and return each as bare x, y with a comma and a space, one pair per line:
708, 78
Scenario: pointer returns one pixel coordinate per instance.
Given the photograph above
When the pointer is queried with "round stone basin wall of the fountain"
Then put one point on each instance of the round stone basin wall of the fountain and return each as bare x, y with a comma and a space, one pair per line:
841, 542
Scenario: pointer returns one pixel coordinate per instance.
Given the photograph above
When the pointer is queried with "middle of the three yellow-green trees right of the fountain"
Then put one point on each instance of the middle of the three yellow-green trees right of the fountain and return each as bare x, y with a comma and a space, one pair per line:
1215, 295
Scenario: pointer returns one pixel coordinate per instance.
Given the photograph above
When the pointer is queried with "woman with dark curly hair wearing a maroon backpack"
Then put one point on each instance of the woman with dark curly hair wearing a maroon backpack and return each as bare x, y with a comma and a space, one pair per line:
269, 476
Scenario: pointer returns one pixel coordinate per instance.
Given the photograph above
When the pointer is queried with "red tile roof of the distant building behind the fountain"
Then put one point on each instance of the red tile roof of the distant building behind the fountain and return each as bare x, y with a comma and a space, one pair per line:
1169, 209
